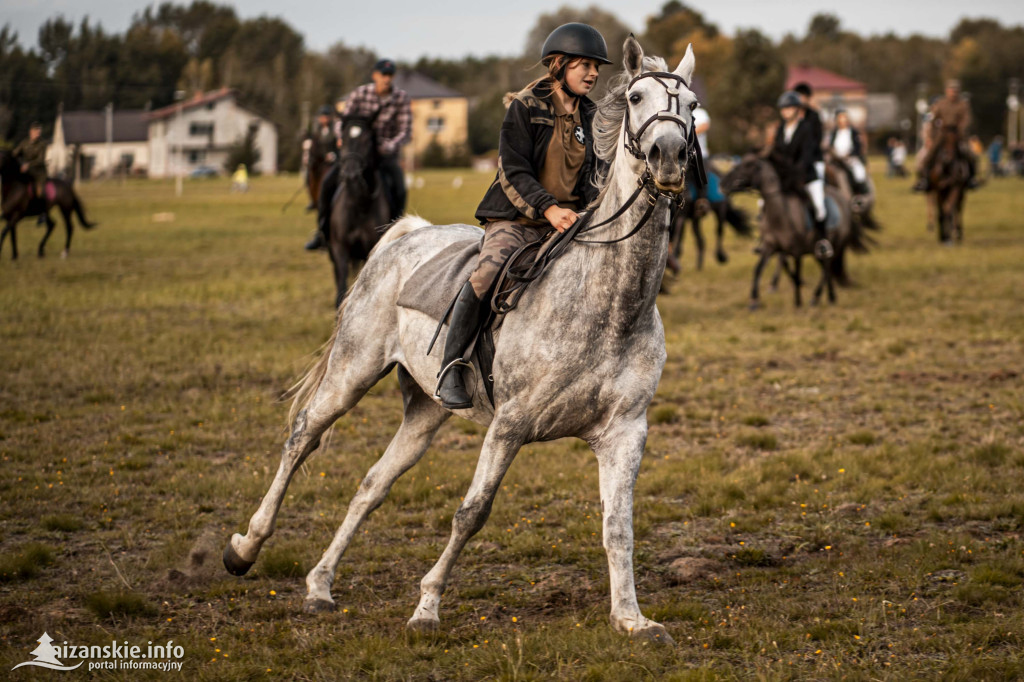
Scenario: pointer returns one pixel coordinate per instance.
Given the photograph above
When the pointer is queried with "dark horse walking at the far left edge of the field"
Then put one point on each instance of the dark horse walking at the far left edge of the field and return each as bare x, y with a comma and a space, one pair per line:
17, 202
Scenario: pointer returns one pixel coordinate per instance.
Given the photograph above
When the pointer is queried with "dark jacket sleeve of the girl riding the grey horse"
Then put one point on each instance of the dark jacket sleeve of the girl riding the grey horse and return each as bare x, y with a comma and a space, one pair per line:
516, 170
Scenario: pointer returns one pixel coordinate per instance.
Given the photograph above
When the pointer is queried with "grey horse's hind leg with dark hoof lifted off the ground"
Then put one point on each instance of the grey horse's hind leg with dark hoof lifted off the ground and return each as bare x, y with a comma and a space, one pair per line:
337, 393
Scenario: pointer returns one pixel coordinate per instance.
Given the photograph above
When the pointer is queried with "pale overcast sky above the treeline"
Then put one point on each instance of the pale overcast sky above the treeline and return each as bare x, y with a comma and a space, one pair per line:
409, 29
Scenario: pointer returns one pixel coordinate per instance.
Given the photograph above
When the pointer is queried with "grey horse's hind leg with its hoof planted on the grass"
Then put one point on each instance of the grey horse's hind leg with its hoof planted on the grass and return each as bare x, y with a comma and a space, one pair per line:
422, 419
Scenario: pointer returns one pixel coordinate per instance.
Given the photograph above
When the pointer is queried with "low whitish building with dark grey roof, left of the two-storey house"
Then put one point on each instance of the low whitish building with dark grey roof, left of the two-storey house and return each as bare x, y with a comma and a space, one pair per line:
81, 149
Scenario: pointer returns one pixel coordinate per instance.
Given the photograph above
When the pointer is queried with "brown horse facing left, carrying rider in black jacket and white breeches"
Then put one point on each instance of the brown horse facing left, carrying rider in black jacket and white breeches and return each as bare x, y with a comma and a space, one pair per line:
785, 228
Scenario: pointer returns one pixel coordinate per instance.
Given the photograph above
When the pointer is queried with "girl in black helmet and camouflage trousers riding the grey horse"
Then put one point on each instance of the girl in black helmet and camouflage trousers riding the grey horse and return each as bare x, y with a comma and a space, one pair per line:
545, 176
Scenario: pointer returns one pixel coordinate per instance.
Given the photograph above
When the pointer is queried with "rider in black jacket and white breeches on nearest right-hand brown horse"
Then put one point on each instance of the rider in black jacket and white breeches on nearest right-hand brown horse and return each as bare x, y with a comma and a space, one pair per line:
799, 144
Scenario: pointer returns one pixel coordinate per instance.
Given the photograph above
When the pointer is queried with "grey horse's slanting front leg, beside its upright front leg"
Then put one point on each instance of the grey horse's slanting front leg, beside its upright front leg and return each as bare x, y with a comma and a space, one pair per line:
500, 448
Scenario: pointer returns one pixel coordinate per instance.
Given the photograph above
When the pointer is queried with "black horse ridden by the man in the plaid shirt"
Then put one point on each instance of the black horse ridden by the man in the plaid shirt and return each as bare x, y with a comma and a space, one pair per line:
360, 209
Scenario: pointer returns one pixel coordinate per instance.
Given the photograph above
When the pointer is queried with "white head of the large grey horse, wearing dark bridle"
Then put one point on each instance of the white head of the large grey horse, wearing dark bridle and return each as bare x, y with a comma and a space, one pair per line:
659, 125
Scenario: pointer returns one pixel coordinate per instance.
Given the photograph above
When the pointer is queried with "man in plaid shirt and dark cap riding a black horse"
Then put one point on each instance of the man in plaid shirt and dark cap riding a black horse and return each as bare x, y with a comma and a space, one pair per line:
393, 129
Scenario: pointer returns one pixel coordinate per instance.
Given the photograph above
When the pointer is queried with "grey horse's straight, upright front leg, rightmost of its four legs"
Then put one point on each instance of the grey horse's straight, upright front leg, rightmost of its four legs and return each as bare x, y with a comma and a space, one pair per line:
620, 451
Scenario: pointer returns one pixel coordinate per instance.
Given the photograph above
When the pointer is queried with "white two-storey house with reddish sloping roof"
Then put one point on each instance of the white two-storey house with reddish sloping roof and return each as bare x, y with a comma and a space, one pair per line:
200, 132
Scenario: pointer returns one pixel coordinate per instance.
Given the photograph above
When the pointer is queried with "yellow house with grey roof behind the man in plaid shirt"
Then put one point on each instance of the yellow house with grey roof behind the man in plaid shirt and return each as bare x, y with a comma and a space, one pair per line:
439, 114
